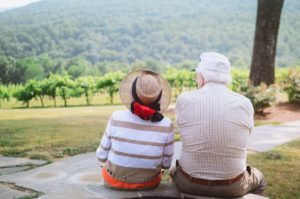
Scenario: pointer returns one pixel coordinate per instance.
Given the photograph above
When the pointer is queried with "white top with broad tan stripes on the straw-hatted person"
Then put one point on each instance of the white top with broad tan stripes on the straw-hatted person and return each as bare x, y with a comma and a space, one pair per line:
136, 150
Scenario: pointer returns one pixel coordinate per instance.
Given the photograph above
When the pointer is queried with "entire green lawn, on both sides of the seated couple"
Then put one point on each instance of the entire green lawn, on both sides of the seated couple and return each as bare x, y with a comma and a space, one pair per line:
52, 133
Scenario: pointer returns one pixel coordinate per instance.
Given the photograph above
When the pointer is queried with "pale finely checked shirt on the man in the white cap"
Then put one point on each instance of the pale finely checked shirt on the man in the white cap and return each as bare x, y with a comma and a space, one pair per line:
214, 125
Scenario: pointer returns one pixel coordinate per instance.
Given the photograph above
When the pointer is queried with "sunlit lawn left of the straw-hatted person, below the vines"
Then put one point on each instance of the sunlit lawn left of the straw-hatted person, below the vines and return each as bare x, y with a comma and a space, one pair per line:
53, 132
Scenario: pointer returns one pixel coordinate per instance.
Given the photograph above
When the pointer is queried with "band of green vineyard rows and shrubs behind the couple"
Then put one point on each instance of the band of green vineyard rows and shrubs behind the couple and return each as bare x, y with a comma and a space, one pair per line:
64, 88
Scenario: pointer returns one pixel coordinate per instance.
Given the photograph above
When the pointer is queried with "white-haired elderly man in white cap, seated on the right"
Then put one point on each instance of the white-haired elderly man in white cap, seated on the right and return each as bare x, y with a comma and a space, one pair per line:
215, 124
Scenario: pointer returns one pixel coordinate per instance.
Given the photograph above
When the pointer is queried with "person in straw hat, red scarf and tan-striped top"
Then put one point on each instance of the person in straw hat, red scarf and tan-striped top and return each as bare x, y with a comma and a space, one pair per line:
138, 143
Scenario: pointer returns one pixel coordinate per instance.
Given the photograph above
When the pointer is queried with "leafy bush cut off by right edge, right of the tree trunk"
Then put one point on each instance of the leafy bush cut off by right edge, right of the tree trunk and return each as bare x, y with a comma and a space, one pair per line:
291, 85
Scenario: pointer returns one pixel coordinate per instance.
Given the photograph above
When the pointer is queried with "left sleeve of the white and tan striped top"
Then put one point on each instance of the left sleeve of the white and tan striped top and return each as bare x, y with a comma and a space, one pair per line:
105, 144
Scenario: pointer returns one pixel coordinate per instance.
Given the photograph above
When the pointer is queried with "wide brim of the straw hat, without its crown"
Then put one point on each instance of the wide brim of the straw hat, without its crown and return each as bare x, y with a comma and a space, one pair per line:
125, 90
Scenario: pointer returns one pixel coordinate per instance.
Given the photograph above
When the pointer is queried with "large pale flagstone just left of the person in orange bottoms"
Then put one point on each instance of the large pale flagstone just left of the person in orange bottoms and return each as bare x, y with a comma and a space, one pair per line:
70, 175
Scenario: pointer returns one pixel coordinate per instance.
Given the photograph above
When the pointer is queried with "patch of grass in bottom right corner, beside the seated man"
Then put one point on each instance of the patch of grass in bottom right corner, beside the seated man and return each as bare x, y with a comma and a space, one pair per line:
281, 168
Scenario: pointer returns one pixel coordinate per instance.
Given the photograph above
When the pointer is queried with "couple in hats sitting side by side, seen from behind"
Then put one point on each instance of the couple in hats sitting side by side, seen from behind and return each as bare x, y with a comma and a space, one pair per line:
214, 125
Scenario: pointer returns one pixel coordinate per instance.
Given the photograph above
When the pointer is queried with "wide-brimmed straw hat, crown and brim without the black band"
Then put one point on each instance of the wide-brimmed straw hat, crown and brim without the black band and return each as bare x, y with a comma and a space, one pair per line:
149, 85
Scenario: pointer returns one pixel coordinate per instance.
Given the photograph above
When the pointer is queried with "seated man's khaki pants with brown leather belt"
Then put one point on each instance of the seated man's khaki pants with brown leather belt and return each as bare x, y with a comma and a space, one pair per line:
252, 182
